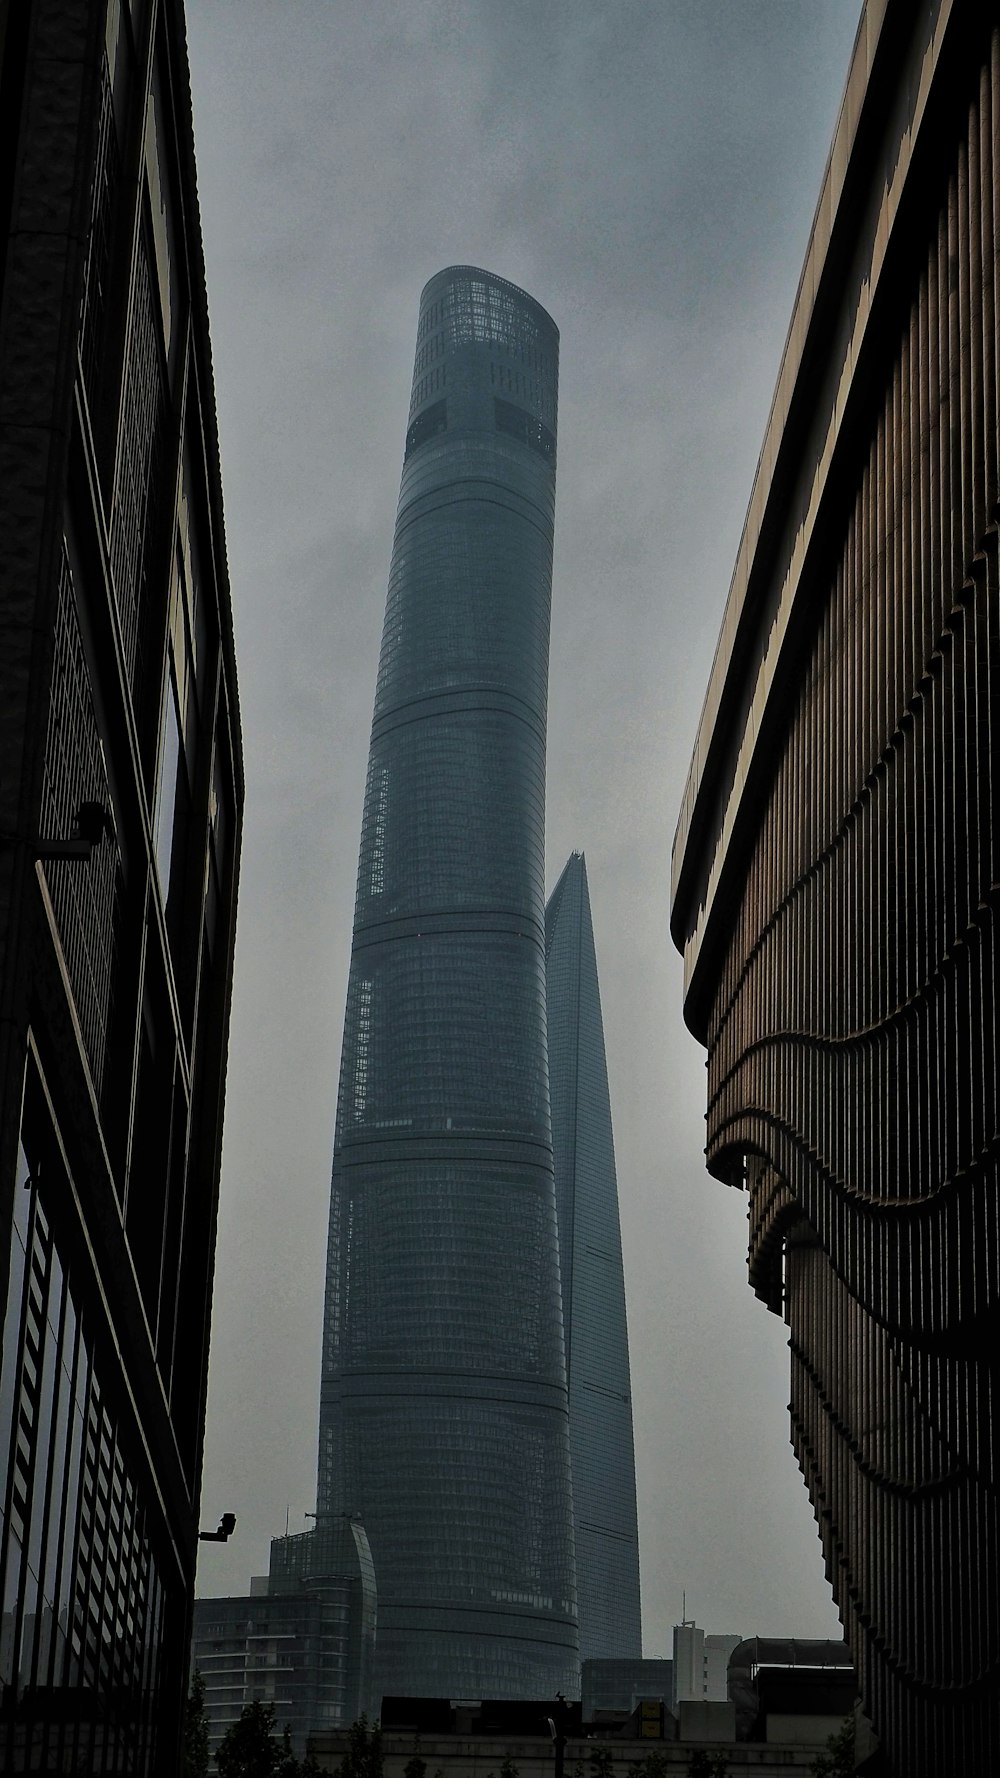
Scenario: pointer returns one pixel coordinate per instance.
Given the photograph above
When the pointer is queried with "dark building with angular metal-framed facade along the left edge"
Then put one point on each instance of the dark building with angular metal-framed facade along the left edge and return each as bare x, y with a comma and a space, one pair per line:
120, 821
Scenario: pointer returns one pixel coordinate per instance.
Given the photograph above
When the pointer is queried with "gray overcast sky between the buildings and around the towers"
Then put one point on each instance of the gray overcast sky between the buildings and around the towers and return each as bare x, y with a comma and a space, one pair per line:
649, 170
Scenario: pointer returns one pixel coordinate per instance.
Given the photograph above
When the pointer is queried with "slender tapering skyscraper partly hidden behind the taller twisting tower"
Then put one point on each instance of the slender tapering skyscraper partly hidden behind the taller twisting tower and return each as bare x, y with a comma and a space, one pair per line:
593, 1286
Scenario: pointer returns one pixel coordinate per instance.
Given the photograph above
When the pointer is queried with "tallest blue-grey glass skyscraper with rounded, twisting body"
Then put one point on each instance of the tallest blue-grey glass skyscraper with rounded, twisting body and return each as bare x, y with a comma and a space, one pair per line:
444, 1416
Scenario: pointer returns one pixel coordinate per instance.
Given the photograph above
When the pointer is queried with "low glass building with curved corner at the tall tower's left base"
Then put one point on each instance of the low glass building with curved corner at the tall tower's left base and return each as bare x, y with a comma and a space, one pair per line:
302, 1640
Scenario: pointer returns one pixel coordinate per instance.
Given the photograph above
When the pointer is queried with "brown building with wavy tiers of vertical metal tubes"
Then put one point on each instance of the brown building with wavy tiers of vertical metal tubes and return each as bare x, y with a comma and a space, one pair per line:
837, 879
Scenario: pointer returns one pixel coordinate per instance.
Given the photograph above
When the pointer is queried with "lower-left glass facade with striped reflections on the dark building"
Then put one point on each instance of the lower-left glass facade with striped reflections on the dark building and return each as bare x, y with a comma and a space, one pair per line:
83, 1599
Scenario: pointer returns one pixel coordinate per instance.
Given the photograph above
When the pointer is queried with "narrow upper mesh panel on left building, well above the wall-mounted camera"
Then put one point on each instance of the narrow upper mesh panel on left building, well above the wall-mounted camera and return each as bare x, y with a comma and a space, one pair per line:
140, 454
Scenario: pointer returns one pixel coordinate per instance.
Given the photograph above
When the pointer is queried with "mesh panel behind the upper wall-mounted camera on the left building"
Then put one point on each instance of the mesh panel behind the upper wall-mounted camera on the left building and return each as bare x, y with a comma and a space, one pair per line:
86, 897
